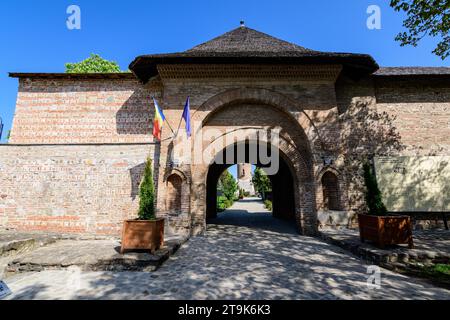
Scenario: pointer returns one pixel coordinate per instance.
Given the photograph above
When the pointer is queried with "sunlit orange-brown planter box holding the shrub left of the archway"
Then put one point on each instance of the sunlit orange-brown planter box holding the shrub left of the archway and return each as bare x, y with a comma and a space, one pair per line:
142, 235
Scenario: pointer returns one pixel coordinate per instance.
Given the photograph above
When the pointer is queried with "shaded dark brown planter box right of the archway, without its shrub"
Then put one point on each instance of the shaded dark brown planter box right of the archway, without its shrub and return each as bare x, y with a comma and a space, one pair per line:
386, 230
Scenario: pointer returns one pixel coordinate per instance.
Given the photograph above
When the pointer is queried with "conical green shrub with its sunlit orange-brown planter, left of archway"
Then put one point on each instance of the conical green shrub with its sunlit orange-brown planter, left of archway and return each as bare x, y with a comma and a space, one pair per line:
146, 232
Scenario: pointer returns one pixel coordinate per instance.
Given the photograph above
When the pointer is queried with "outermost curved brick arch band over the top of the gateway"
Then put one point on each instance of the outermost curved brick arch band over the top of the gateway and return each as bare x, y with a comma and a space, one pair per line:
262, 96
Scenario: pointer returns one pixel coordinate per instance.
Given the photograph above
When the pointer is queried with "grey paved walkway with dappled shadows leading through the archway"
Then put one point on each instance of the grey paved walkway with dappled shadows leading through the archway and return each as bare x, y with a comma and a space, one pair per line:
232, 261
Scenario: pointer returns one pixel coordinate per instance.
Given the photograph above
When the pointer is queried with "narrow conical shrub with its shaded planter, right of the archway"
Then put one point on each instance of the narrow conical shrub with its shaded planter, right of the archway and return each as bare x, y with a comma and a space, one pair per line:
378, 226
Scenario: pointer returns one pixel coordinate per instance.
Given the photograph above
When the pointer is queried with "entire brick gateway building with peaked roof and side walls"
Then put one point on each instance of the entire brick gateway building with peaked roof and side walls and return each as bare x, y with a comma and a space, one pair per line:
79, 141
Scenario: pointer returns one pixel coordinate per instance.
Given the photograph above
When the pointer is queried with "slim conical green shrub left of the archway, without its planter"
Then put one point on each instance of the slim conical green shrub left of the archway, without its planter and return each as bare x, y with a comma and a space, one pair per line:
147, 194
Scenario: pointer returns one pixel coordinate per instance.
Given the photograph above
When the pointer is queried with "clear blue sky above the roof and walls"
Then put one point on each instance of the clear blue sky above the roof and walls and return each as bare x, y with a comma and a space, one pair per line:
34, 36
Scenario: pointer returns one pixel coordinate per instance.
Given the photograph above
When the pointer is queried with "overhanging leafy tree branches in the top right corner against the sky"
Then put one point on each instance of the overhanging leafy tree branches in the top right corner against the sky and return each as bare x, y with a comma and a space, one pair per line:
425, 17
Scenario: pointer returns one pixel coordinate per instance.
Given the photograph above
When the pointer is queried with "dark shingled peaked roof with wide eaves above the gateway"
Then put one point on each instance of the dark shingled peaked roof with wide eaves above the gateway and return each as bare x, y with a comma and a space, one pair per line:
245, 46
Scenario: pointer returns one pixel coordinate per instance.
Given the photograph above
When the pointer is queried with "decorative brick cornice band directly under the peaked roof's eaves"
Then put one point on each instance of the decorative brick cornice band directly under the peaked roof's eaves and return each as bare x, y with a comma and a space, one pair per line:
223, 71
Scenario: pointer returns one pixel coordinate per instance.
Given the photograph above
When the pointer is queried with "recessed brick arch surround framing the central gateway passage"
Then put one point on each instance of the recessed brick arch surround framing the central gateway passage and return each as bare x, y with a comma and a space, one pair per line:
250, 110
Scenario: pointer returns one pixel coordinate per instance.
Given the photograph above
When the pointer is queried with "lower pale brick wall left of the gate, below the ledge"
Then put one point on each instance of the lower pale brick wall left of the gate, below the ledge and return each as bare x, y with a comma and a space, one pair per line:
71, 188
